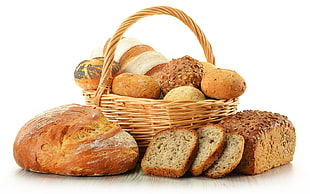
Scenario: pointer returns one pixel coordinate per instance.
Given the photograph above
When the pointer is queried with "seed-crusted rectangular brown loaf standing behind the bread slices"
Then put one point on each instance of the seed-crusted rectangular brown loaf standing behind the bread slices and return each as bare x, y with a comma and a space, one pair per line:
270, 139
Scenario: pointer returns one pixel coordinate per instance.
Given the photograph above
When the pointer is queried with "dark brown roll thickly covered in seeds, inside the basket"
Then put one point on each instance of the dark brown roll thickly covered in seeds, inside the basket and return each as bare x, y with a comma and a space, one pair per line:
184, 71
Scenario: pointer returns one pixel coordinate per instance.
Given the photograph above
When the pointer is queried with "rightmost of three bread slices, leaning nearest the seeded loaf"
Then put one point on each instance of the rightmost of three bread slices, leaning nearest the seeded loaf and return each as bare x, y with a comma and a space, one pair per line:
230, 157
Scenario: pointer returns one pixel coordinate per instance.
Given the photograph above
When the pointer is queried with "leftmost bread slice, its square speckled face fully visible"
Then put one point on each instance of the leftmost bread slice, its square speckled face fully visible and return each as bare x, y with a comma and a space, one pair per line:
170, 153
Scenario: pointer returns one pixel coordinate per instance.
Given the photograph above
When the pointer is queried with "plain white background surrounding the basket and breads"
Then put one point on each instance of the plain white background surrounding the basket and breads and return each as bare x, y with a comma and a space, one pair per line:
41, 43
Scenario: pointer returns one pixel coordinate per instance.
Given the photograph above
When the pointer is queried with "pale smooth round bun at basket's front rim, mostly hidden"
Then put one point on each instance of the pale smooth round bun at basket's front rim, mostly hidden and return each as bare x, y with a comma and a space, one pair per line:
184, 93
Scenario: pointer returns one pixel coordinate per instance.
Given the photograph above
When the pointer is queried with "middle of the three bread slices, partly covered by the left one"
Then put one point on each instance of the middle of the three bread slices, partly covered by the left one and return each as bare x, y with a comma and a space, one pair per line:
211, 140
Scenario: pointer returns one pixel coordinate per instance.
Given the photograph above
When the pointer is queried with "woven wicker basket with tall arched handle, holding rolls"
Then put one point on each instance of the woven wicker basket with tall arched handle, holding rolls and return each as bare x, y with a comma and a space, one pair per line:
145, 117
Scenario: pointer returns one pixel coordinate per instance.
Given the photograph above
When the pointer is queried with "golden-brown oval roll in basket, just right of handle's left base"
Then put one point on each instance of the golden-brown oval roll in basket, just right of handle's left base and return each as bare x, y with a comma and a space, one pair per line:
138, 86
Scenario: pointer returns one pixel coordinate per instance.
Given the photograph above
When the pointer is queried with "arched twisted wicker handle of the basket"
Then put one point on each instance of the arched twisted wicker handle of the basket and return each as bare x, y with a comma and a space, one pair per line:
105, 83
